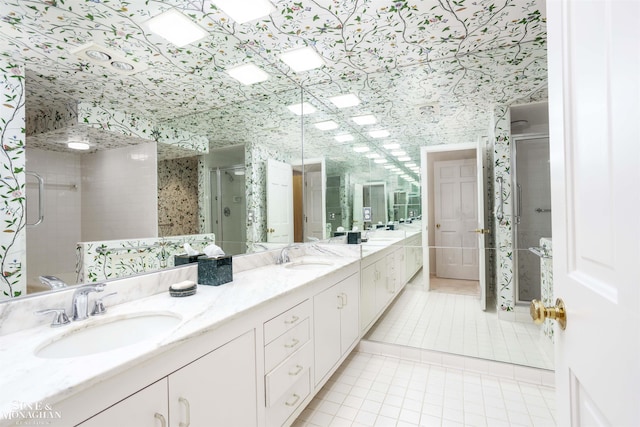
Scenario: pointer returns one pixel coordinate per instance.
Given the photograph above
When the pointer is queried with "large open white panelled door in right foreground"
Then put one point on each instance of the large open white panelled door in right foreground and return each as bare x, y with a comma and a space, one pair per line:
594, 94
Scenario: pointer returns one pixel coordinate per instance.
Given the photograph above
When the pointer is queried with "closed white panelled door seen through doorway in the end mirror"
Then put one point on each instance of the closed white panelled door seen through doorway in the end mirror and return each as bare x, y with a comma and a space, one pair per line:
456, 217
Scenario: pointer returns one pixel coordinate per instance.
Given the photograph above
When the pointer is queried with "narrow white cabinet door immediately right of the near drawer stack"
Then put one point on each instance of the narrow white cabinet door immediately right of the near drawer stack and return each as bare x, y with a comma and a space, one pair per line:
326, 328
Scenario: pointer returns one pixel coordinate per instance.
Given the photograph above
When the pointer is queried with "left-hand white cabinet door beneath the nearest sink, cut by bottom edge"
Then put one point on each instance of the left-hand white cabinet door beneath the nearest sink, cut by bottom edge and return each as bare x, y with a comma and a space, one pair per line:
146, 408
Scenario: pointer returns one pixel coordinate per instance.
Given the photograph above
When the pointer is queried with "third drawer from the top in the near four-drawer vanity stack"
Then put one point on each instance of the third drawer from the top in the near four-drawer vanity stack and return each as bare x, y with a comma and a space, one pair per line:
288, 373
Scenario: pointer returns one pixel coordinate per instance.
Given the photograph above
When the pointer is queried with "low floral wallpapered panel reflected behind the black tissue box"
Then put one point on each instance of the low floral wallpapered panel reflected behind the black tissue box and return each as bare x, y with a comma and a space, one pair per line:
111, 259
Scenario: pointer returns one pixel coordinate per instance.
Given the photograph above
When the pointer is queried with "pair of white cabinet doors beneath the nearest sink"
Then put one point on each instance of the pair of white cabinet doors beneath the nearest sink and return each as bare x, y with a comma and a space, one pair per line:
218, 389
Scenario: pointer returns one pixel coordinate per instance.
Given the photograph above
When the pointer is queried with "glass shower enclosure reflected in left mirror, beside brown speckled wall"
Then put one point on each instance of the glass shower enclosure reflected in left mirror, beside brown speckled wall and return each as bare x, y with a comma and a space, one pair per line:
228, 208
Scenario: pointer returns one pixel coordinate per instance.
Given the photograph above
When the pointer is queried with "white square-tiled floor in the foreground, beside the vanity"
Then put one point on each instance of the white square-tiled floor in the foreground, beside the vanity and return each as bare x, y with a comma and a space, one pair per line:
373, 390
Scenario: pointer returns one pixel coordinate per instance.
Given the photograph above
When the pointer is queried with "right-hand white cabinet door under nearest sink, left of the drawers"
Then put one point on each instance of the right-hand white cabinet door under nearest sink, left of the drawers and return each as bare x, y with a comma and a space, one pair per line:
219, 389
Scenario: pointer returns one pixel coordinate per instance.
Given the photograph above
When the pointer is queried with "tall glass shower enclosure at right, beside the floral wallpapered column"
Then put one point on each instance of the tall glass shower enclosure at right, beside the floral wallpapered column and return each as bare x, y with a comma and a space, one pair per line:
532, 212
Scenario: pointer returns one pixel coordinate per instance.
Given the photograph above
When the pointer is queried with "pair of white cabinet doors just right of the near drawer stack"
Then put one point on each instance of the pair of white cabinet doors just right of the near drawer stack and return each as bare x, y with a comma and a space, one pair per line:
336, 325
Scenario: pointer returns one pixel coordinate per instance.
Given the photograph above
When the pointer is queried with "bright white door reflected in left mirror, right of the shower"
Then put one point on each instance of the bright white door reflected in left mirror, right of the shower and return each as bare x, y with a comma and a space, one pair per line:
279, 202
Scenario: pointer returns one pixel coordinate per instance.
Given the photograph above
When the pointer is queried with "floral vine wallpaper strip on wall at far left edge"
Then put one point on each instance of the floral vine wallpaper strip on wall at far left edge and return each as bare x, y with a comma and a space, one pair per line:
12, 179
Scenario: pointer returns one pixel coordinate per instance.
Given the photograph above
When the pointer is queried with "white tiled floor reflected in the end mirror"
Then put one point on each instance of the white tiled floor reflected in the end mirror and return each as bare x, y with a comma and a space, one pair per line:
453, 323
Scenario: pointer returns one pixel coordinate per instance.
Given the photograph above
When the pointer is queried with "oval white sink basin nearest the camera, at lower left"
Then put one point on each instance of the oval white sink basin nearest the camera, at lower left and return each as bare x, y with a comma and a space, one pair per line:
108, 334
